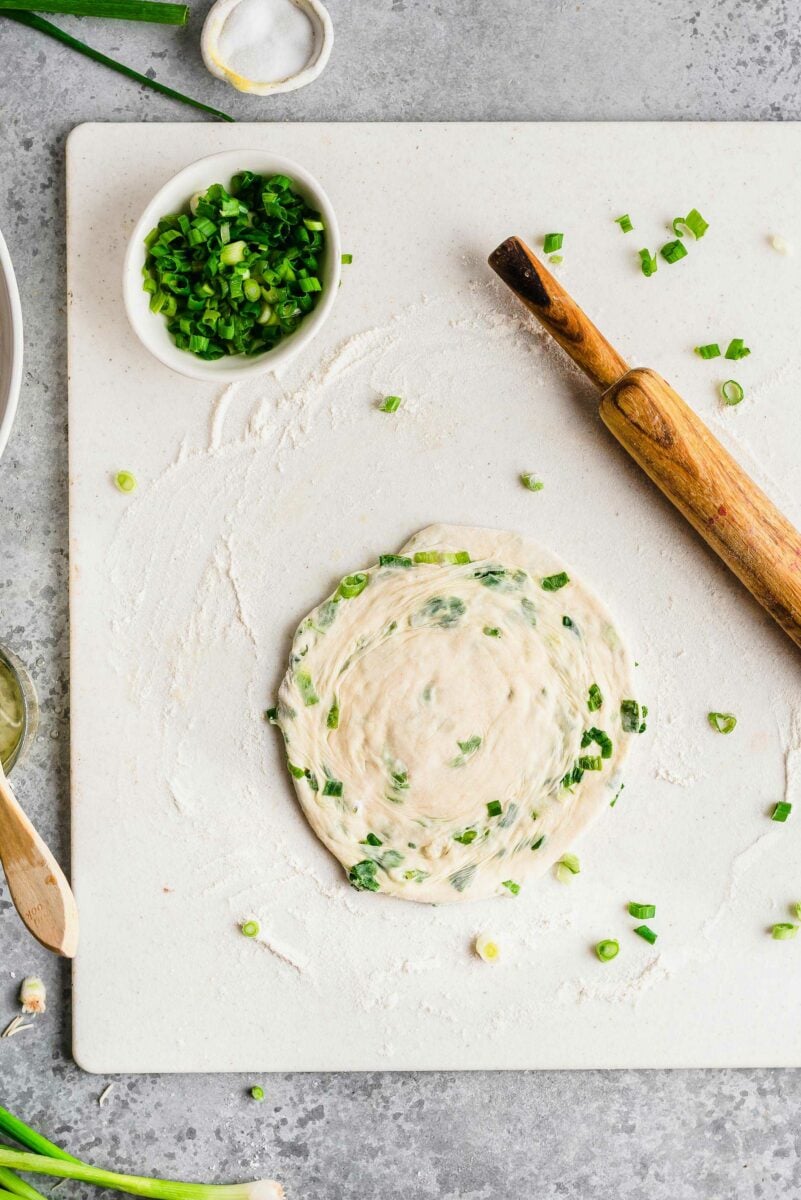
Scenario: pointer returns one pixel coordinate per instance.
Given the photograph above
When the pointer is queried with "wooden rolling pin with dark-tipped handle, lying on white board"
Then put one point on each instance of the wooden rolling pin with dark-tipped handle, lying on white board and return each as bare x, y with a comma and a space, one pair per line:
672, 445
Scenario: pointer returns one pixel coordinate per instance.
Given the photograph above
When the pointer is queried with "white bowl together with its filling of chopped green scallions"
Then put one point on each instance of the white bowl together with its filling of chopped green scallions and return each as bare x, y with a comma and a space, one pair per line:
233, 267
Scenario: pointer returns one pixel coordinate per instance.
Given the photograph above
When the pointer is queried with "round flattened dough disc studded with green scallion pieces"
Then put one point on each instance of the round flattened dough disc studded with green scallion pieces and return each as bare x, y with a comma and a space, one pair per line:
442, 718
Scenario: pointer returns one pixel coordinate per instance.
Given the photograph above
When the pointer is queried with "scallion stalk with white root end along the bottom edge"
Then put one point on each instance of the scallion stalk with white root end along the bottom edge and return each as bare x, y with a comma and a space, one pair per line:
137, 1185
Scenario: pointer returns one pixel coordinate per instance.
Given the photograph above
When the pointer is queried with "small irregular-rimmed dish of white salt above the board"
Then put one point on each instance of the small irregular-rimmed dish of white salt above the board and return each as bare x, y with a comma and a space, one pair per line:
264, 47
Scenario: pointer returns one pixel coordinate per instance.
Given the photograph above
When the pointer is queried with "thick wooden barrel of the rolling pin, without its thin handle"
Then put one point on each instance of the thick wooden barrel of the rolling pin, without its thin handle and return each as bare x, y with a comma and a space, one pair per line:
684, 459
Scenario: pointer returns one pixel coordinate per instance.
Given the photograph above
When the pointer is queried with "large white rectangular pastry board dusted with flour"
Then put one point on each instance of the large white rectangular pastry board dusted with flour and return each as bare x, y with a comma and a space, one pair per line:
254, 502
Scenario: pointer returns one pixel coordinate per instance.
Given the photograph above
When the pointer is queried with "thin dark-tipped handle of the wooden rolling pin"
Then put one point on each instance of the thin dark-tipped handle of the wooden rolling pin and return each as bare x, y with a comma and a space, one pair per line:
546, 298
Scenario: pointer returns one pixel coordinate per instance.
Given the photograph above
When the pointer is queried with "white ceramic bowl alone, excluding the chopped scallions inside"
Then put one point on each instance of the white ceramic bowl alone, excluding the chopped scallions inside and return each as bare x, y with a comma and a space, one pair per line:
174, 197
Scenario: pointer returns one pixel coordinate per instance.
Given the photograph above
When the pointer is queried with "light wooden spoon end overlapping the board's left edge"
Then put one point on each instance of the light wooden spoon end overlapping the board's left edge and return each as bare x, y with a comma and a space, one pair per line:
37, 883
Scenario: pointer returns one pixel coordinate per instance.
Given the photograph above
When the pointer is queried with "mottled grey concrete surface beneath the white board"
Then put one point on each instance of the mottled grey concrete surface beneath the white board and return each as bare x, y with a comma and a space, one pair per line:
631, 1136
